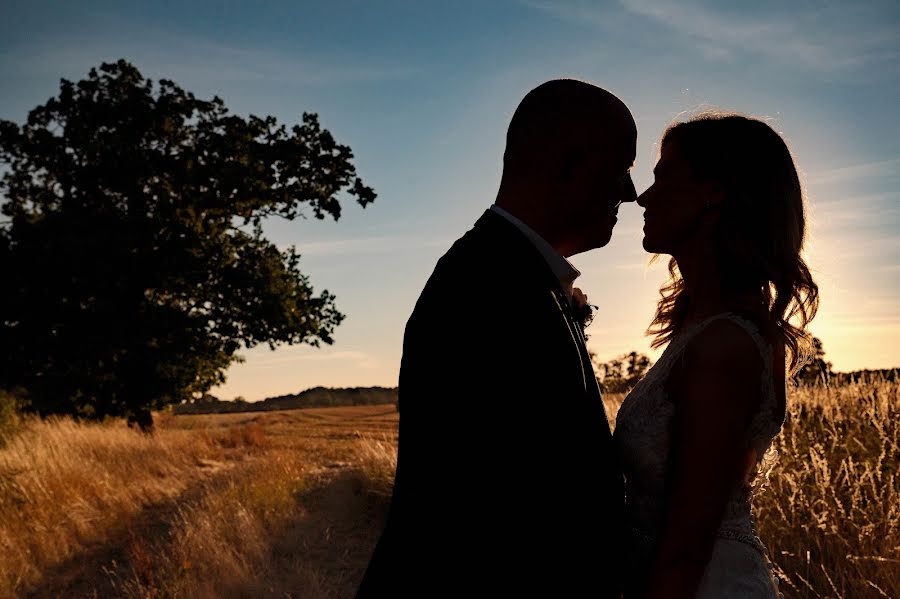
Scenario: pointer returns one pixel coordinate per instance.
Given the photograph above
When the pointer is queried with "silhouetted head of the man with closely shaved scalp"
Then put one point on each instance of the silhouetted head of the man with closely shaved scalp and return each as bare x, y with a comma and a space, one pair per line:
569, 149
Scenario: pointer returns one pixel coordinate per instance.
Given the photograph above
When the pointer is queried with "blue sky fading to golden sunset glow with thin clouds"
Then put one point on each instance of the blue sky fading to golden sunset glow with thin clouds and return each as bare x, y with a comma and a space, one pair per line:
423, 91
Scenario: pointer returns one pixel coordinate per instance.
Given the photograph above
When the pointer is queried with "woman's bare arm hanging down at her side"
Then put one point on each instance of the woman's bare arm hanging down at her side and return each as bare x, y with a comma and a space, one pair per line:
716, 390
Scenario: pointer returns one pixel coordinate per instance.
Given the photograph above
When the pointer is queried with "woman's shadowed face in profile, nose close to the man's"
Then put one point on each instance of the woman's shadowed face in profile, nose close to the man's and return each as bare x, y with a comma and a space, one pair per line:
675, 205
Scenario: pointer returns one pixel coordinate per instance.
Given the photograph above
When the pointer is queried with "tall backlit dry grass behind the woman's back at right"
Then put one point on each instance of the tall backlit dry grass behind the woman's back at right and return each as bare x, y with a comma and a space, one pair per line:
831, 517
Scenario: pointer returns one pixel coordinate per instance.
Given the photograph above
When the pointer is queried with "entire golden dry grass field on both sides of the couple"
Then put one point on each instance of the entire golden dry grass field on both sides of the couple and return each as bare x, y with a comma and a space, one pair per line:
290, 503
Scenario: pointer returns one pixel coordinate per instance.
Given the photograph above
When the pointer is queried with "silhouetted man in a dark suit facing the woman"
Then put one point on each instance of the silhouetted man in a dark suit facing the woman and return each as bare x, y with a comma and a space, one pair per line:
506, 481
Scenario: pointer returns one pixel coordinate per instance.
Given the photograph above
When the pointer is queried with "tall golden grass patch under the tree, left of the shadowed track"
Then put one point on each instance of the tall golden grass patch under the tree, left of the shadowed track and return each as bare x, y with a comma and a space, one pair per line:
66, 488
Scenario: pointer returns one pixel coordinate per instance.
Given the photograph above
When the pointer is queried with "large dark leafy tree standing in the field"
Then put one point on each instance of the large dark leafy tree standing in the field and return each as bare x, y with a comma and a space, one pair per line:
133, 259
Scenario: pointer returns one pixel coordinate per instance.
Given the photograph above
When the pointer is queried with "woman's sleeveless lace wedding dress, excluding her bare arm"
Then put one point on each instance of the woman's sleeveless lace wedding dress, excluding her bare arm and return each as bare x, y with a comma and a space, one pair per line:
739, 566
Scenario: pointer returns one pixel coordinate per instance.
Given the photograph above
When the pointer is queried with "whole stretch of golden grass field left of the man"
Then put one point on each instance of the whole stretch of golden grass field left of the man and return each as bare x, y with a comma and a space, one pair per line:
244, 505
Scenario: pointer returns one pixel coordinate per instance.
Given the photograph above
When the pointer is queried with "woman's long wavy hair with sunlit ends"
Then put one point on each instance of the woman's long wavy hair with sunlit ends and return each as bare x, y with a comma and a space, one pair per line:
761, 230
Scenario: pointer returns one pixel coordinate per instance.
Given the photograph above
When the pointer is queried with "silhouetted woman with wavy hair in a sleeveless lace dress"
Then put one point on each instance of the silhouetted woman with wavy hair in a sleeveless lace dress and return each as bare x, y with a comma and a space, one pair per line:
727, 206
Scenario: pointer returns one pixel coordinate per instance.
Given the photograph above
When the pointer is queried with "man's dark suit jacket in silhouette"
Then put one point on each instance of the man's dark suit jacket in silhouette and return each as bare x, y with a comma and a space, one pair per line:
507, 483
